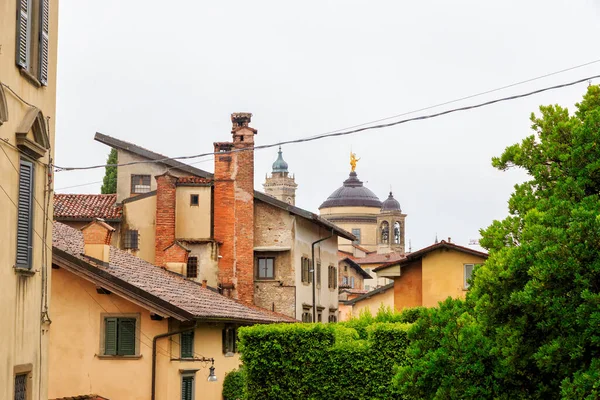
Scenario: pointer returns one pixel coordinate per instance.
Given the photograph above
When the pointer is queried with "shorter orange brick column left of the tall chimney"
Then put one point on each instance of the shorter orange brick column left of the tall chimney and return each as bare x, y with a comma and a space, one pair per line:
165, 216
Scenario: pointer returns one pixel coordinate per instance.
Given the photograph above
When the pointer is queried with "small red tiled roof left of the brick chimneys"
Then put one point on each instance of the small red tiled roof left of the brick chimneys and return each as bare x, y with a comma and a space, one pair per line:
86, 207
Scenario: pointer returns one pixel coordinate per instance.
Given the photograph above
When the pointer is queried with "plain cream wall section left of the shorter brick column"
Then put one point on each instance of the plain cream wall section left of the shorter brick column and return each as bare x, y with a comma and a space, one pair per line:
141, 215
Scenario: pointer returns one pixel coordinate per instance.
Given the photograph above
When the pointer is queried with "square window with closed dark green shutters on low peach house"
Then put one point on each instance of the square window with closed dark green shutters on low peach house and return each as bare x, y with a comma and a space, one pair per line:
119, 336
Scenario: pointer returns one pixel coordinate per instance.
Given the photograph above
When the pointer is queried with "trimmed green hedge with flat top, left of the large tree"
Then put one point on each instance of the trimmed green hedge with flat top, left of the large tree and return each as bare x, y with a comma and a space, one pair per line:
353, 360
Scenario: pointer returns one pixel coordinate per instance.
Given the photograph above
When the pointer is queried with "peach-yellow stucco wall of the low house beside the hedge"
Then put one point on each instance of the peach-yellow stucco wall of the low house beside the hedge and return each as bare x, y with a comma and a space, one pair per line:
75, 367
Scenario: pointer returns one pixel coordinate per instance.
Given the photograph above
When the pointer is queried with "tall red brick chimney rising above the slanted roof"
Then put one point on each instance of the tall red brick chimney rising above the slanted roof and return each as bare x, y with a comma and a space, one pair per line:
234, 209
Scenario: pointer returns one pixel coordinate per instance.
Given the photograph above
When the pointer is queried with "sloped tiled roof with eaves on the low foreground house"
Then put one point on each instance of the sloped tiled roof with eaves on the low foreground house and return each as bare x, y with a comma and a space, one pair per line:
180, 297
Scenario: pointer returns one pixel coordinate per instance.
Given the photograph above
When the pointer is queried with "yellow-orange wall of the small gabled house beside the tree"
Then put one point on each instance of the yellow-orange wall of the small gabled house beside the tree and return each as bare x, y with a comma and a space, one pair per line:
443, 275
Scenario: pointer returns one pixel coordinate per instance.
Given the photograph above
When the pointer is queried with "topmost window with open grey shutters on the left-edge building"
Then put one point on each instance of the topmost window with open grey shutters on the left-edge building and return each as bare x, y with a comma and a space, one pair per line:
32, 47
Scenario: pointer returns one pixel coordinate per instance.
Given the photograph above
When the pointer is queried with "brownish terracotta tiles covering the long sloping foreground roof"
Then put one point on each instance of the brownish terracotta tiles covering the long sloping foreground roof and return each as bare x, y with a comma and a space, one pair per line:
168, 286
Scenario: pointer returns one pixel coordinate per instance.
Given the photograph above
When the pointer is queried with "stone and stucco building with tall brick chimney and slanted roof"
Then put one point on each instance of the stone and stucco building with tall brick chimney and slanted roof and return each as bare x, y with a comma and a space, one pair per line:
216, 228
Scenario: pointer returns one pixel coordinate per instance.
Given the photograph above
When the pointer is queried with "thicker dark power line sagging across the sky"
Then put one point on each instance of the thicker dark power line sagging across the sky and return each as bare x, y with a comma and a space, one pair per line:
343, 133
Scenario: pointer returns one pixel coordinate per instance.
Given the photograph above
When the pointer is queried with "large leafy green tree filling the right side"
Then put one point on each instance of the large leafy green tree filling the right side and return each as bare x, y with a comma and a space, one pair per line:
534, 306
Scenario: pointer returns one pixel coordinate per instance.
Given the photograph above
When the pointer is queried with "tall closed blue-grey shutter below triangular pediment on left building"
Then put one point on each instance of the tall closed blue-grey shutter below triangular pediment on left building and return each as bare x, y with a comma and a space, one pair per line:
25, 215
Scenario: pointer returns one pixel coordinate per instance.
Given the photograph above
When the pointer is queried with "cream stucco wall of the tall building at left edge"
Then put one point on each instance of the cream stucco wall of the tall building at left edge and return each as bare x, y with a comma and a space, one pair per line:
23, 339
